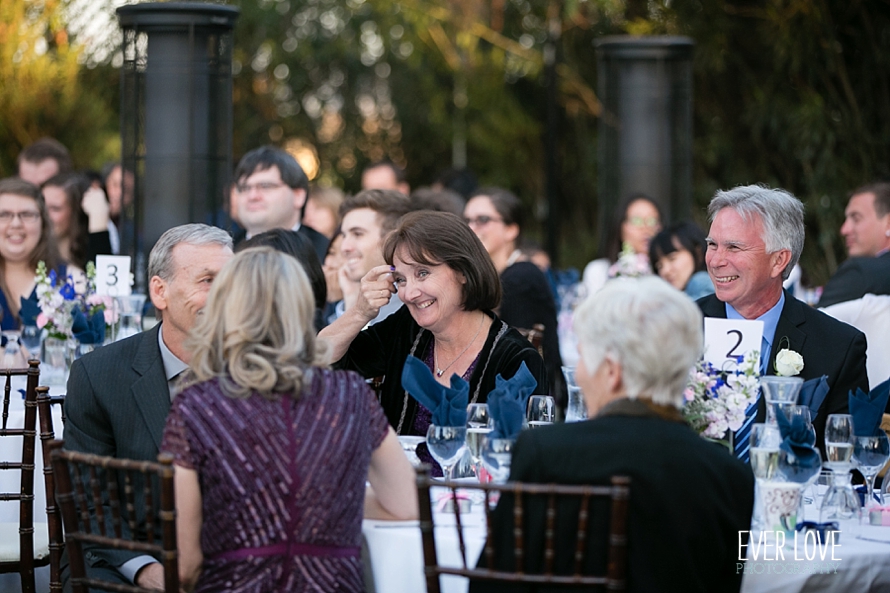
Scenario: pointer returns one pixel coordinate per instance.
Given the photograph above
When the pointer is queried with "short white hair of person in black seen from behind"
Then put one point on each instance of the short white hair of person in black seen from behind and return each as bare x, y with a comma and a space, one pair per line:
650, 328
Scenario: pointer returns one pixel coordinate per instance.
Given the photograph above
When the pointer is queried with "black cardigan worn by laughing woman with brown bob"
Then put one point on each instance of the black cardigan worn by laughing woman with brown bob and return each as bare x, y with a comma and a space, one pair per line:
382, 349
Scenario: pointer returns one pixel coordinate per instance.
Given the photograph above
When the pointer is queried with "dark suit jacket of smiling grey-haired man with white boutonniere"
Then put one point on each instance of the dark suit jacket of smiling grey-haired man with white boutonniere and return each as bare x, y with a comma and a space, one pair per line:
828, 346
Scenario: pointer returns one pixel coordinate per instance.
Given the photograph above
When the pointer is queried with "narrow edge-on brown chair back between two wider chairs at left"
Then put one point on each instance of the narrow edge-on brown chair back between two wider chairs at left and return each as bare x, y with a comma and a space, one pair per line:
53, 515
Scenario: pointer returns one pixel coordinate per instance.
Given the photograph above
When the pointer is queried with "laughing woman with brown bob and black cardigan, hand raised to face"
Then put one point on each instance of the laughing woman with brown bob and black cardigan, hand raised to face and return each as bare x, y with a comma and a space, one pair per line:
449, 288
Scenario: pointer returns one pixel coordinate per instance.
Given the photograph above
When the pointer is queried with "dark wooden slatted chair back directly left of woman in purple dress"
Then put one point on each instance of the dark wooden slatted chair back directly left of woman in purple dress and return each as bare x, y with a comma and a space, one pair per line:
129, 475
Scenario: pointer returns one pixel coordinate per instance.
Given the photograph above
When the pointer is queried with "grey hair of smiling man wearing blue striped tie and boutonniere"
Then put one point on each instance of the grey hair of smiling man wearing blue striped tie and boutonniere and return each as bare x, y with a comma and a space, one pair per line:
780, 212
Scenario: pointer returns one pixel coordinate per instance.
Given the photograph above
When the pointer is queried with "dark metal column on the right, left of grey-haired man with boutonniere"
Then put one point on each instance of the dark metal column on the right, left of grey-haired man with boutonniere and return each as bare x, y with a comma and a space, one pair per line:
645, 131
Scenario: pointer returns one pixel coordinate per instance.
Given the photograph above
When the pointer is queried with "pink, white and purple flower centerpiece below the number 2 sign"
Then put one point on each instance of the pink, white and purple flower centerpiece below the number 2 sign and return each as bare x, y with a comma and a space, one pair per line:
717, 399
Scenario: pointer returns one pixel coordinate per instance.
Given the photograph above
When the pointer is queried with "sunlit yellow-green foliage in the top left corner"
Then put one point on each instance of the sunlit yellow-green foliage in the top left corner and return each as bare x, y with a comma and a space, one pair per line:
46, 91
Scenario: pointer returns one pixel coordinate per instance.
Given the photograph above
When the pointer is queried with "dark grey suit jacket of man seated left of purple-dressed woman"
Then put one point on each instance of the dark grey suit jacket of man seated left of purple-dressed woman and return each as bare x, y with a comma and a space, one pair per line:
117, 405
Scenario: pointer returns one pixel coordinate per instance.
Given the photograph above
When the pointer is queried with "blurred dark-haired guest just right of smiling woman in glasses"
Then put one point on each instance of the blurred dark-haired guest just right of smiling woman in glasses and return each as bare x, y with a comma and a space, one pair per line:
80, 217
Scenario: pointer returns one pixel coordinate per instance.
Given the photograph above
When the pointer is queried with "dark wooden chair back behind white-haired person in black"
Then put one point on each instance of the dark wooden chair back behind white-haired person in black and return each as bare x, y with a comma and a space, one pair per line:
551, 508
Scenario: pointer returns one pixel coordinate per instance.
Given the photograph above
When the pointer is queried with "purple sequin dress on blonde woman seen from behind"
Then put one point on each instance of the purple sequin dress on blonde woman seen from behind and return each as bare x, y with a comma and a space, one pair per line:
282, 482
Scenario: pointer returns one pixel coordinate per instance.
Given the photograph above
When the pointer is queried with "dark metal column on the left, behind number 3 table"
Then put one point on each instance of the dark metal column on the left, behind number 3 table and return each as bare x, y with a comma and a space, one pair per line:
176, 118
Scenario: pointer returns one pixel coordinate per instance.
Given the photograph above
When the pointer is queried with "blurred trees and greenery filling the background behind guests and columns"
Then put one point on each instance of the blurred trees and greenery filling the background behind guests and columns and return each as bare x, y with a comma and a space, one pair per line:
792, 93
